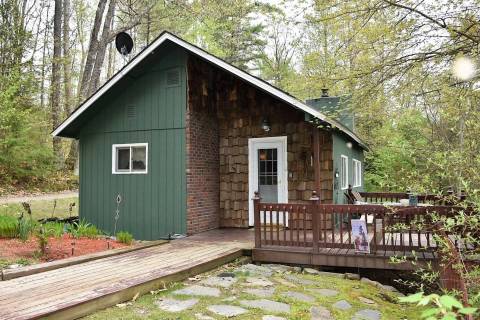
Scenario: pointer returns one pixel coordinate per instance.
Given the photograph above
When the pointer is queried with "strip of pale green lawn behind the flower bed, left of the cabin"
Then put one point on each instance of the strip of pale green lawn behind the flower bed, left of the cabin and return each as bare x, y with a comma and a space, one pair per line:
43, 208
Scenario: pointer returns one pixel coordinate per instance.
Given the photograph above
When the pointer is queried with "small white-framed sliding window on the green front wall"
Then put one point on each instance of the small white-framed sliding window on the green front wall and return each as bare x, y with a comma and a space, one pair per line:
130, 158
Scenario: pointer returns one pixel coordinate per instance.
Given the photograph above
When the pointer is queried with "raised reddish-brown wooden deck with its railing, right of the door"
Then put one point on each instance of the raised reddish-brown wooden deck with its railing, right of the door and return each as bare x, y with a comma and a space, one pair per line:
321, 234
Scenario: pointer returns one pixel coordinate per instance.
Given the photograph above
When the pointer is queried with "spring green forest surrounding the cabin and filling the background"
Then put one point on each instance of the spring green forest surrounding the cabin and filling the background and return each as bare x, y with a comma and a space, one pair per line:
393, 58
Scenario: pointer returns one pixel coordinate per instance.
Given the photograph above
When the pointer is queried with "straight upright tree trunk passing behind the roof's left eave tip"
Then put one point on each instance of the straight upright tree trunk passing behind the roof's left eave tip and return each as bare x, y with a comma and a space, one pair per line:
56, 85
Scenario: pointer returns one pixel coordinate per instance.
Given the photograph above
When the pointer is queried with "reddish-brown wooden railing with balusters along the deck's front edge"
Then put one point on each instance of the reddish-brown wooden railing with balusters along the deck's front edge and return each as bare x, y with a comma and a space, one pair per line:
315, 226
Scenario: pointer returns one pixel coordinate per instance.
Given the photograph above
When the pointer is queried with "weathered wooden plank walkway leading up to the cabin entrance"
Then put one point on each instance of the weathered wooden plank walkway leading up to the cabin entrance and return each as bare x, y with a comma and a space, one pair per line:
74, 291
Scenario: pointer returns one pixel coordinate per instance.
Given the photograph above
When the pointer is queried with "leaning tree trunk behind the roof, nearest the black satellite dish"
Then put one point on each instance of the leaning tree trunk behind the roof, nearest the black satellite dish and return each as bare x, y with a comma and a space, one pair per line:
101, 49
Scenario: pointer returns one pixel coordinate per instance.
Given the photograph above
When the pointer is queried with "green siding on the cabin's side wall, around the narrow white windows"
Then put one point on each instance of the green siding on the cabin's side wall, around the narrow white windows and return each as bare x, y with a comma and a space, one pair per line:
340, 148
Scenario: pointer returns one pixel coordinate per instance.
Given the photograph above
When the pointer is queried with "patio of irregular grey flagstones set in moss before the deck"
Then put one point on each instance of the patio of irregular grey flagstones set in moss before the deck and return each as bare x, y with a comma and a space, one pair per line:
274, 291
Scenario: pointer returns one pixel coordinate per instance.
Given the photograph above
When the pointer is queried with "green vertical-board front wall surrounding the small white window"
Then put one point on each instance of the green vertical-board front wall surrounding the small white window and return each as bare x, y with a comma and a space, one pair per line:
153, 204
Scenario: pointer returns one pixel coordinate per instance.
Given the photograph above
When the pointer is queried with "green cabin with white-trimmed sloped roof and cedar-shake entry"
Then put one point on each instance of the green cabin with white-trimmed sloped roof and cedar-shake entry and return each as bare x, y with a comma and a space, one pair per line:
179, 140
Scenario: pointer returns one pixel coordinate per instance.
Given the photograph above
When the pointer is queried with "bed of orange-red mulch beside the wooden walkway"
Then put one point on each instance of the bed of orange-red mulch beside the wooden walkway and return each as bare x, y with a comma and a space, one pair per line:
57, 248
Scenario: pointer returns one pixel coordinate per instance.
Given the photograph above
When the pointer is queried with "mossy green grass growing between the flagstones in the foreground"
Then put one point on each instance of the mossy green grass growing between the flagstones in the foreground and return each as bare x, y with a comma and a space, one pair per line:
350, 290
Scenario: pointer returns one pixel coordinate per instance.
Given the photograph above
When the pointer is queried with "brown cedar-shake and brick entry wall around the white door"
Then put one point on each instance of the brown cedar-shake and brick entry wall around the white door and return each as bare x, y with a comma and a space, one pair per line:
231, 112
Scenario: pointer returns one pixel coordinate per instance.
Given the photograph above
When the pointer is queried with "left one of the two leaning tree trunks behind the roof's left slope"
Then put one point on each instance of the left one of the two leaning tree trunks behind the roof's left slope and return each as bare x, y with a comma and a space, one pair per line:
92, 50
